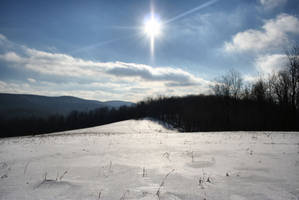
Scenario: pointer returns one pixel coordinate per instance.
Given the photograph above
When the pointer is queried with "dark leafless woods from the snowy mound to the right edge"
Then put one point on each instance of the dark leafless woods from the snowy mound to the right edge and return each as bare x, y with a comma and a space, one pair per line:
269, 103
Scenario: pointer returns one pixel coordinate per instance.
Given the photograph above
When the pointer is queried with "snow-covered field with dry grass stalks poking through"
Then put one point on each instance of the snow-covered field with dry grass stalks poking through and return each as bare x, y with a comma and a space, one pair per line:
144, 160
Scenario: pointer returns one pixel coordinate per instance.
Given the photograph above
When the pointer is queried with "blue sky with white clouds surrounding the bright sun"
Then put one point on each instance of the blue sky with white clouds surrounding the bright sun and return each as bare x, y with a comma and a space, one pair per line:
99, 49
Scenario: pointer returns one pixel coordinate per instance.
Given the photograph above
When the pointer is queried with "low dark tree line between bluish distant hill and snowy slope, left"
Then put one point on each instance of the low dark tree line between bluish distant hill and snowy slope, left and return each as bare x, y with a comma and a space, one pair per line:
55, 123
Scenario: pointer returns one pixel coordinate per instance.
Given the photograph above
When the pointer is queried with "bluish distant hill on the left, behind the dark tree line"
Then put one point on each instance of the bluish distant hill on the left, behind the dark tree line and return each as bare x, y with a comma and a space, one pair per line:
27, 105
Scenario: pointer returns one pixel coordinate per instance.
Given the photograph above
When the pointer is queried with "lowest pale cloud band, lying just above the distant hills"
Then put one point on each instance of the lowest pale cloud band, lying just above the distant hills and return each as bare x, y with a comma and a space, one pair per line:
97, 91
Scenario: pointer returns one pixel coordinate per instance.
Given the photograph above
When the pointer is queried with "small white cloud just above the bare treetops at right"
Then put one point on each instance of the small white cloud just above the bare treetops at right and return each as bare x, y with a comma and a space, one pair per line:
268, 64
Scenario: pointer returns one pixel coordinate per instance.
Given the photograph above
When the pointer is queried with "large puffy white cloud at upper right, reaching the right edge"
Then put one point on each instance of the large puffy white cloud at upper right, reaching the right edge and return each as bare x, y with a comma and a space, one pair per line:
274, 34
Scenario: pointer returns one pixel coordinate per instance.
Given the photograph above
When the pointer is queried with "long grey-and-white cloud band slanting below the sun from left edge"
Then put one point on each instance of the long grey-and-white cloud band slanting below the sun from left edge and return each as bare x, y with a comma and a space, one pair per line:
65, 65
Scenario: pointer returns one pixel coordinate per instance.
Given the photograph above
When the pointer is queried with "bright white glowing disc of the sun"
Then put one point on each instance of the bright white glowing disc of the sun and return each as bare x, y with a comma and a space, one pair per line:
152, 27
